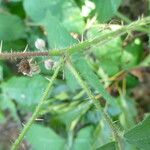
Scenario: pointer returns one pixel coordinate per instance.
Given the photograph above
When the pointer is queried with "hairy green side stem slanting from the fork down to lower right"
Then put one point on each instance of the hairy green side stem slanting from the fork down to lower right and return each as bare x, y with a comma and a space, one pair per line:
83, 84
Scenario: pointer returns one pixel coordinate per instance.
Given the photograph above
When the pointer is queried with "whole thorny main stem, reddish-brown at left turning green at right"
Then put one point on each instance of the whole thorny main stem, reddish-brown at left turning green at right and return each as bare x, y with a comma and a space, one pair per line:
83, 45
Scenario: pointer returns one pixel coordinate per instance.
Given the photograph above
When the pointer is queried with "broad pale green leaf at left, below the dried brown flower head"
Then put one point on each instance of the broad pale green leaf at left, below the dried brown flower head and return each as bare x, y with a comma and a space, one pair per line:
24, 90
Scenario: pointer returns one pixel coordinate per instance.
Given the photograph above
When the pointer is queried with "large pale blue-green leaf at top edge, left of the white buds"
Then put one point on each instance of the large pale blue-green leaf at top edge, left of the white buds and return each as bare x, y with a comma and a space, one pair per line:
65, 11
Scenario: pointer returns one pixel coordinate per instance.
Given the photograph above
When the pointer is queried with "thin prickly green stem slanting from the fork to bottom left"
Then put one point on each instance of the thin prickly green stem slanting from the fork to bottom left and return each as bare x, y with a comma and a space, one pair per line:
37, 110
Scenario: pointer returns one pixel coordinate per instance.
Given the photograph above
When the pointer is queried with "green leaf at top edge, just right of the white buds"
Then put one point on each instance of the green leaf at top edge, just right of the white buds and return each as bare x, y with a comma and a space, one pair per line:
106, 9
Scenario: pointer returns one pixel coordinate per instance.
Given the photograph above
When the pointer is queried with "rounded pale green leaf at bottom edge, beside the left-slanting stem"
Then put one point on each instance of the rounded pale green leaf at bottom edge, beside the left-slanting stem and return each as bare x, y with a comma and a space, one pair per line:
44, 138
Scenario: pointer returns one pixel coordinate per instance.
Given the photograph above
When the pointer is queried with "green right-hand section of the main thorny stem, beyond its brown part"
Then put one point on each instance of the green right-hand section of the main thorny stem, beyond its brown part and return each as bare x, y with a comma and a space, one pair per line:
103, 38
